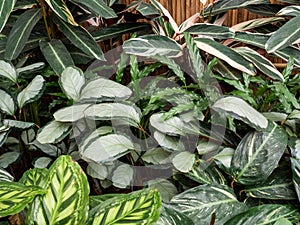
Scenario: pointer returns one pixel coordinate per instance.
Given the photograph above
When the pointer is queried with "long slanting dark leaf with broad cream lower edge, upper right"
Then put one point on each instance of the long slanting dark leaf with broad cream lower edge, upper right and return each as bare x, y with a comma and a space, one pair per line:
225, 53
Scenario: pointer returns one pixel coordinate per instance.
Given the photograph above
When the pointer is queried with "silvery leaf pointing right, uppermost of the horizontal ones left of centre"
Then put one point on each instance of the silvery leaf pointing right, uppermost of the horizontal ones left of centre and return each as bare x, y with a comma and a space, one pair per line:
101, 88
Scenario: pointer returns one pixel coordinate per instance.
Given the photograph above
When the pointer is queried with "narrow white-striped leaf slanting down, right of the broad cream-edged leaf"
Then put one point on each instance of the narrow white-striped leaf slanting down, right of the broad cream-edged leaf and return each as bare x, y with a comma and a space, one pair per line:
263, 64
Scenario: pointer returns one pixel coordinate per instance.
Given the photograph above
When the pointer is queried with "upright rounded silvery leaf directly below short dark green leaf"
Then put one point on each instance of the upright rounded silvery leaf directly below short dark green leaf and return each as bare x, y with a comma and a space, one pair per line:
71, 82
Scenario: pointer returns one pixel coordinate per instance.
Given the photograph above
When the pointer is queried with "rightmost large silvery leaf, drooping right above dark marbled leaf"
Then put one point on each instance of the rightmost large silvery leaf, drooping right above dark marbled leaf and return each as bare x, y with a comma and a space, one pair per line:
239, 109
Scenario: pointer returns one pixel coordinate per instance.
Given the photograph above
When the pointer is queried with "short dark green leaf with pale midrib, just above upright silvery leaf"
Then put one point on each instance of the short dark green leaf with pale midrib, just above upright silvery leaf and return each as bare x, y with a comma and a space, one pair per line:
57, 55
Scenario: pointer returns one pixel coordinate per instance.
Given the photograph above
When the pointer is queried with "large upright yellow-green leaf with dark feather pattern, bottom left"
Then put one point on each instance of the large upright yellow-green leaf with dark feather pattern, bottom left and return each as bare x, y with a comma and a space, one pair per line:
67, 197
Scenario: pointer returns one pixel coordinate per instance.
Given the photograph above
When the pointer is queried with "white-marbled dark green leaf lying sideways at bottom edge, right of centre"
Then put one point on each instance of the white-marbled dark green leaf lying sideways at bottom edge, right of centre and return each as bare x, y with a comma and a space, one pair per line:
201, 202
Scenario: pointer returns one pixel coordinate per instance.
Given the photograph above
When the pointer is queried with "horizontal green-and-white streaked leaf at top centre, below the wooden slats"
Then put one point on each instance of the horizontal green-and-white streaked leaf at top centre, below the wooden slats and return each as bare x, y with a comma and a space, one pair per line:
151, 45
